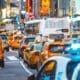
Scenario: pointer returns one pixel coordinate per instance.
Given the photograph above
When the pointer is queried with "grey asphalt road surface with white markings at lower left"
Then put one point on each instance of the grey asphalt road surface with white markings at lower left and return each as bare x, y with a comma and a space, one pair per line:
14, 68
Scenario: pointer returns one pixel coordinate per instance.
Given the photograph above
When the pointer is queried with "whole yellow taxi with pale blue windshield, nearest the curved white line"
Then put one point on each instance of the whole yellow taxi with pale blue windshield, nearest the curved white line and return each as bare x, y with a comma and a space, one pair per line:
31, 53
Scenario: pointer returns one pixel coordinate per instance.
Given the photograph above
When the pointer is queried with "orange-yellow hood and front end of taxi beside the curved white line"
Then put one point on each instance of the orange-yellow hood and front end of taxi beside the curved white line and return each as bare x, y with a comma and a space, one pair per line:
32, 58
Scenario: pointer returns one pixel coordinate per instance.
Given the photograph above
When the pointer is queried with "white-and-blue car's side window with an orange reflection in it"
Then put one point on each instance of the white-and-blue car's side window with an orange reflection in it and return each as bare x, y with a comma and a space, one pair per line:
48, 71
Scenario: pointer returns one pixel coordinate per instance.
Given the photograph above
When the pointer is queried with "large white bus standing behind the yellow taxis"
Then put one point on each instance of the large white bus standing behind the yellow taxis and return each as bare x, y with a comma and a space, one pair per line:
48, 26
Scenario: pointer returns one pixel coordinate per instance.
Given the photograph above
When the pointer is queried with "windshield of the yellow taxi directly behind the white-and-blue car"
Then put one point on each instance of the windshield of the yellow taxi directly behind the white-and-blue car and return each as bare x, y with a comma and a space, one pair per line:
56, 48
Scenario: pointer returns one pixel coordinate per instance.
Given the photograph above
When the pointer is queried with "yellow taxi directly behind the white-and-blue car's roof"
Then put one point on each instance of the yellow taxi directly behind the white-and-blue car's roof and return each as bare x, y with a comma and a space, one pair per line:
52, 49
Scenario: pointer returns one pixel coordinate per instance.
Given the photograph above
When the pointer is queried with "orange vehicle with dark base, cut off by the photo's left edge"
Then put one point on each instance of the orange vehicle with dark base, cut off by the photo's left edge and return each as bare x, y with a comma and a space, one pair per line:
1, 54
